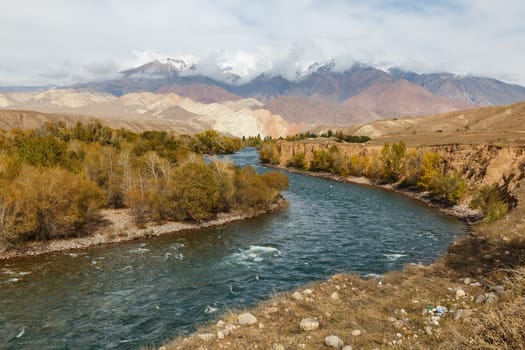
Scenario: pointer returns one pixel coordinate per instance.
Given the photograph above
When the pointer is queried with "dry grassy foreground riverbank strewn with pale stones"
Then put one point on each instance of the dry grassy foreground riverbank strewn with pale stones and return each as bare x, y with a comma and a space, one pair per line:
472, 297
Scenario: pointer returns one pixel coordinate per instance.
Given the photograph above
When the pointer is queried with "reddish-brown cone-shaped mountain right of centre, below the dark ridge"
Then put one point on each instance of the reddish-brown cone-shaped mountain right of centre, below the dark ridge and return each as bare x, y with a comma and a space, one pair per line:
396, 97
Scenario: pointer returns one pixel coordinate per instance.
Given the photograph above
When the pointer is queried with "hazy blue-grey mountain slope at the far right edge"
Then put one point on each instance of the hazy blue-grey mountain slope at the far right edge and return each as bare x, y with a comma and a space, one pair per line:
470, 89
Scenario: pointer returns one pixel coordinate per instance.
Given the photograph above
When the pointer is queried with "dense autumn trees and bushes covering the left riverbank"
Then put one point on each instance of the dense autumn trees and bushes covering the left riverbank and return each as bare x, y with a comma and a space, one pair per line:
55, 179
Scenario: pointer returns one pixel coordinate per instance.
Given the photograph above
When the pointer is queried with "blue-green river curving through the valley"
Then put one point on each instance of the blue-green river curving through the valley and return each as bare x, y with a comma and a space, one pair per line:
143, 293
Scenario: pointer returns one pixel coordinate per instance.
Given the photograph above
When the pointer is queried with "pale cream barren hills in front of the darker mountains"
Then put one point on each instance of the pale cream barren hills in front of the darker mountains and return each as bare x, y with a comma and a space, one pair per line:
162, 111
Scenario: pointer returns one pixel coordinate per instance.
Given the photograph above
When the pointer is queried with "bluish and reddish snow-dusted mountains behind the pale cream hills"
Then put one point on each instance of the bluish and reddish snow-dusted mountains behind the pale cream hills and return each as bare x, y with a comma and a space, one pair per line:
321, 94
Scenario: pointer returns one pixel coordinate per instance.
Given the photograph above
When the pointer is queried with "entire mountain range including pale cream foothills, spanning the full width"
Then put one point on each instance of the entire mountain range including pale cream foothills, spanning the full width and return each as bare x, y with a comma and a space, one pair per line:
322, 94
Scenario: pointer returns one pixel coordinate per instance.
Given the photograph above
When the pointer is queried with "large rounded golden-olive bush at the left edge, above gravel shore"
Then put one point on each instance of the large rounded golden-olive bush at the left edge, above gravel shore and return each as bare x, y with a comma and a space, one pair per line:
44, 203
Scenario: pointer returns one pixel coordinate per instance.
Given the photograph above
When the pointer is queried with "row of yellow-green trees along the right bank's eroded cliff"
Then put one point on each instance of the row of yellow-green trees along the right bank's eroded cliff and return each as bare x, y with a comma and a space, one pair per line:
395, 164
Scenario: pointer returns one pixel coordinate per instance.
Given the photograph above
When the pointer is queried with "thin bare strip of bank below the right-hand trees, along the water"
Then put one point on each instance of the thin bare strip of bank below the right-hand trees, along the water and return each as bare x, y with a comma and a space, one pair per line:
462, 212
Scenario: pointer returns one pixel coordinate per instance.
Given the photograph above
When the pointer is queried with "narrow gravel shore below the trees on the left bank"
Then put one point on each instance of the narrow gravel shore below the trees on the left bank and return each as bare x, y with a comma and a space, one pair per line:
116, 226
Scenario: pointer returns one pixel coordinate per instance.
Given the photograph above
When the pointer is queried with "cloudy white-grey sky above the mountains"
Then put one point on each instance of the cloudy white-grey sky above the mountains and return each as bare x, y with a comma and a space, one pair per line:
66, 41
